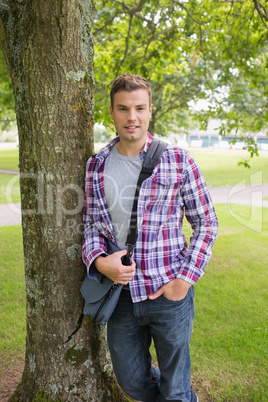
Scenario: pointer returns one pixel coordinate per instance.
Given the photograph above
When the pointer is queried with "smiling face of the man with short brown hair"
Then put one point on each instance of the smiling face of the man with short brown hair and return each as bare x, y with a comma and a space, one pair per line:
131, 113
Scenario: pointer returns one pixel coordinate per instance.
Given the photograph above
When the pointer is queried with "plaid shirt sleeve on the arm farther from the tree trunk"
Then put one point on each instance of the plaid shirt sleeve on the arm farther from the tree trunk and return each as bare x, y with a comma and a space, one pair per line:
200, 213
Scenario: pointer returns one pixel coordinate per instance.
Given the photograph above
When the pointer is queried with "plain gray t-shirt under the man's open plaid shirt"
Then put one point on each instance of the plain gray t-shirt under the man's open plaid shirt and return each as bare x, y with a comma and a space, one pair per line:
120, 181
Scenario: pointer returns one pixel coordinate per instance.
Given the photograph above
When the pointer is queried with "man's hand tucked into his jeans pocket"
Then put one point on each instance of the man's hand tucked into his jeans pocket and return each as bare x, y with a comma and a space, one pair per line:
174, 290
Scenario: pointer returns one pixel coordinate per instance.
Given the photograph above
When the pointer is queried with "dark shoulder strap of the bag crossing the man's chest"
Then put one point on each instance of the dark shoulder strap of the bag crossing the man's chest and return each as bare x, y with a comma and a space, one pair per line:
151, 159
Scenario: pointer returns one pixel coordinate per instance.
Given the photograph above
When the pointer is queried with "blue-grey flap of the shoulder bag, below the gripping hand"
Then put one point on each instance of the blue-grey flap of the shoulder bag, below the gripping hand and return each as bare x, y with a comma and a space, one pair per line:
92, 291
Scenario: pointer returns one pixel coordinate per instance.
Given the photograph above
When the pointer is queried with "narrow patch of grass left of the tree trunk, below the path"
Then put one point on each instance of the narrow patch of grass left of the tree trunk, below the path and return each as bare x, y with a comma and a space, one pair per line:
12, 295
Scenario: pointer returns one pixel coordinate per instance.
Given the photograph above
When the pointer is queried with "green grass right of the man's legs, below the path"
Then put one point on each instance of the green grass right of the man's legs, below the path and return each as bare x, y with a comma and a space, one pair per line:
229, 343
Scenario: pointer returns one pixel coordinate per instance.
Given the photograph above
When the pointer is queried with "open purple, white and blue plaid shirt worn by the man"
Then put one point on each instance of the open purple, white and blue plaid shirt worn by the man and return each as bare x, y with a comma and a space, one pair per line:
176, 187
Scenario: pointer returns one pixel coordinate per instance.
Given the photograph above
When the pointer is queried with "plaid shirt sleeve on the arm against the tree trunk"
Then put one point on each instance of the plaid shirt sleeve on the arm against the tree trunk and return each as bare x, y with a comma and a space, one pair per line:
94, 244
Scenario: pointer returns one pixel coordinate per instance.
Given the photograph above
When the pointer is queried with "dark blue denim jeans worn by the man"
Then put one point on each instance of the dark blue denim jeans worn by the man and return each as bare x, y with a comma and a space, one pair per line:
130, 331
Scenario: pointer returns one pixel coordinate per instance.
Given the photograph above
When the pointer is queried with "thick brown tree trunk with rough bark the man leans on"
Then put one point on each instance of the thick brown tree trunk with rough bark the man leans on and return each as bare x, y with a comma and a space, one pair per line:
49, 52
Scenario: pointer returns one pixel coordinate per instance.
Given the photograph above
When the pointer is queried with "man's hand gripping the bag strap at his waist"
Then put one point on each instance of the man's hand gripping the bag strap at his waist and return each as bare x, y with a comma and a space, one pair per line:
112, 267
